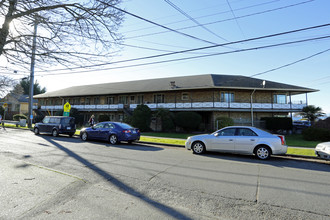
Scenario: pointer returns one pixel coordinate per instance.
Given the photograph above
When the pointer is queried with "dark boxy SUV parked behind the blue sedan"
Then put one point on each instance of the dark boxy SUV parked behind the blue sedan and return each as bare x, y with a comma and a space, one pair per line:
56, 125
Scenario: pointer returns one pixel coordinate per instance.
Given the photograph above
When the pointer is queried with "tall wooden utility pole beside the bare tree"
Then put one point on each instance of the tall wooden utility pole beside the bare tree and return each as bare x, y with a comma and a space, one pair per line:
32, 73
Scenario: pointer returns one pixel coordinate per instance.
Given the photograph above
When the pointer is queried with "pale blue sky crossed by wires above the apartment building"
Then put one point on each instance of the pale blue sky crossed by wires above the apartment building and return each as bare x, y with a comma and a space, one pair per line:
222, 25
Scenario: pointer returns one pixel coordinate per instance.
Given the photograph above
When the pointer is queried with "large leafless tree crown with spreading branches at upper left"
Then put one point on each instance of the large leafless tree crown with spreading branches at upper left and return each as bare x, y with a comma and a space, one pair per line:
70, 33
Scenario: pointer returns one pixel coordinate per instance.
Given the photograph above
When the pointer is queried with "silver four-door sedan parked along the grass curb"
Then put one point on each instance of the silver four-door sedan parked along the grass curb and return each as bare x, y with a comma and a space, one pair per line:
240, 140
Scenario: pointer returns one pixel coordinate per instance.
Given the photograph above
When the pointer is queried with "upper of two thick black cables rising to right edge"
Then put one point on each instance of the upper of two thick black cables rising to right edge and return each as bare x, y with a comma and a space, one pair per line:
200, 48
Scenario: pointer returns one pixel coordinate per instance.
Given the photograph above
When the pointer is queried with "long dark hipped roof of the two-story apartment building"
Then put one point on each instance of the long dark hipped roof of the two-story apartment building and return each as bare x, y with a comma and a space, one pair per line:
207, 81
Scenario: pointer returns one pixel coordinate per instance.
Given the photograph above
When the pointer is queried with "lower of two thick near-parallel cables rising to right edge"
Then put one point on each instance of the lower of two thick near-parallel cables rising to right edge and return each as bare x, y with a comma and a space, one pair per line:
201, 56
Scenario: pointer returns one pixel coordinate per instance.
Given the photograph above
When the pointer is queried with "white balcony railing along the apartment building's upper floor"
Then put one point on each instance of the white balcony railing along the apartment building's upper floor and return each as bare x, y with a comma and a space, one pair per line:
191, 105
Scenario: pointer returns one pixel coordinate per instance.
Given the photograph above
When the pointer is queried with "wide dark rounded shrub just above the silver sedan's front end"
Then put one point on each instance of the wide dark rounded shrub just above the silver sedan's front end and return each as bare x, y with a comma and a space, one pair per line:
189, 121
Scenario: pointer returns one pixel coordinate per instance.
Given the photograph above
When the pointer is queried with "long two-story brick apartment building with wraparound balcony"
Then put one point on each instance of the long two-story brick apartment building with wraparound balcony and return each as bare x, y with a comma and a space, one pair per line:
244, 99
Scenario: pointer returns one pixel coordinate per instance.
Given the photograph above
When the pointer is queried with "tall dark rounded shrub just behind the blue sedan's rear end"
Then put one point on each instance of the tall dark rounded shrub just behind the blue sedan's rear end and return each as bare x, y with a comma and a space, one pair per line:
141, 117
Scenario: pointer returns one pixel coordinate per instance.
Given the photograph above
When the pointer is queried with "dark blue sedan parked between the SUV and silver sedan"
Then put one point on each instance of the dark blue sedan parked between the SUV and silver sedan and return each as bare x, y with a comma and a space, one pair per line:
114, 132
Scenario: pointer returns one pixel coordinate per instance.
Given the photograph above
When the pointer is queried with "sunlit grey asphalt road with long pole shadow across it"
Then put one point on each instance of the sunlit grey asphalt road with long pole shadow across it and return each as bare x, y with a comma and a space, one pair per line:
45, 177
